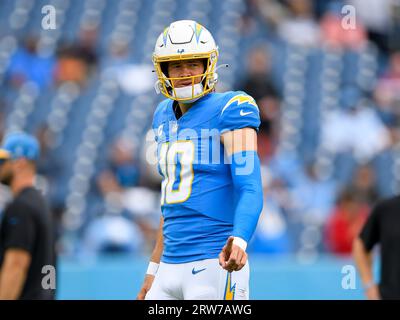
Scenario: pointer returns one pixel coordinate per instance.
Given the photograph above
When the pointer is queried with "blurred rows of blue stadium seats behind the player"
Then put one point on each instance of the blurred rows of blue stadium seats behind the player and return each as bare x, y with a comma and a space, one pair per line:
89, 82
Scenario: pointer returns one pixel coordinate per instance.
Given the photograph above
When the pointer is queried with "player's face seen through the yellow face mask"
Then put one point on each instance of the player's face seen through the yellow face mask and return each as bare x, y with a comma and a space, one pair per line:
183, 69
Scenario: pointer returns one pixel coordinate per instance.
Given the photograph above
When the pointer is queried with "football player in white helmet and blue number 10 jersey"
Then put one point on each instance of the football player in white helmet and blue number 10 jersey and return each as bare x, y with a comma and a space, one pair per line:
211, 192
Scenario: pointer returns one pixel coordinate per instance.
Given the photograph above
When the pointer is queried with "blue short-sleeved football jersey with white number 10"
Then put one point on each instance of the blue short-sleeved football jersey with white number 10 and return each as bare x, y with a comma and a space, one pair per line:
197, 194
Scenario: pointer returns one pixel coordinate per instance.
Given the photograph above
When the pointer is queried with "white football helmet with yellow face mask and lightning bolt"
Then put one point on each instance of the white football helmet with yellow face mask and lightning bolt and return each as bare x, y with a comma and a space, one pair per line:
184, 40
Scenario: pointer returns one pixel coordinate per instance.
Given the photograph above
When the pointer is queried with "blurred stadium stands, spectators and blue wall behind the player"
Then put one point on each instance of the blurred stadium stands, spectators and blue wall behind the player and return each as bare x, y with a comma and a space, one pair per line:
329, 98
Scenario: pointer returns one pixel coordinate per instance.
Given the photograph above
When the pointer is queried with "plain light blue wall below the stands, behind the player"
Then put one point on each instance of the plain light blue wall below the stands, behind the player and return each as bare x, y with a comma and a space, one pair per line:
120, 277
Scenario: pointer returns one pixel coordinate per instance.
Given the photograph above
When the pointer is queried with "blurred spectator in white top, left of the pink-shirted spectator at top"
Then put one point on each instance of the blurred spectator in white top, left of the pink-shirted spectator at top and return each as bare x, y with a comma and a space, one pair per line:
300, 28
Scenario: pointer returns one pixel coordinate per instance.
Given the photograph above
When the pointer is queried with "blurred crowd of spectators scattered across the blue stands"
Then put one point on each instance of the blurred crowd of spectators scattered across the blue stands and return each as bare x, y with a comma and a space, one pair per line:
295, 194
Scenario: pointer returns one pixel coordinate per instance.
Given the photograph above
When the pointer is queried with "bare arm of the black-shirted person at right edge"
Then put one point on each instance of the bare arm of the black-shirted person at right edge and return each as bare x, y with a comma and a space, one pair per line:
363, 260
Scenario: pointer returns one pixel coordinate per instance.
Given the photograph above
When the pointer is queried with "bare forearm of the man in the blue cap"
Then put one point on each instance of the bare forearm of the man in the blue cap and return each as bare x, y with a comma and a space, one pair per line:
13, 273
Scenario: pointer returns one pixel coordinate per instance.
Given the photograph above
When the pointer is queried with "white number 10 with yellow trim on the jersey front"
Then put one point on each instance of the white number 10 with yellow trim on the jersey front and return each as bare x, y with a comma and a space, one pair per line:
179, 154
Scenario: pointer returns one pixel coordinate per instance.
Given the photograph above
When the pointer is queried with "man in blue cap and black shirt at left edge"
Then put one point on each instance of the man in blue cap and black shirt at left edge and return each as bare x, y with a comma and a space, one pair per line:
26, 231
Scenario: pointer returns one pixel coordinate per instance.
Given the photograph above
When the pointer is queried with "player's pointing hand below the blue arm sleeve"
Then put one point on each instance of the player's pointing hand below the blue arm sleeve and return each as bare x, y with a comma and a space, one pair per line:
232, 257
